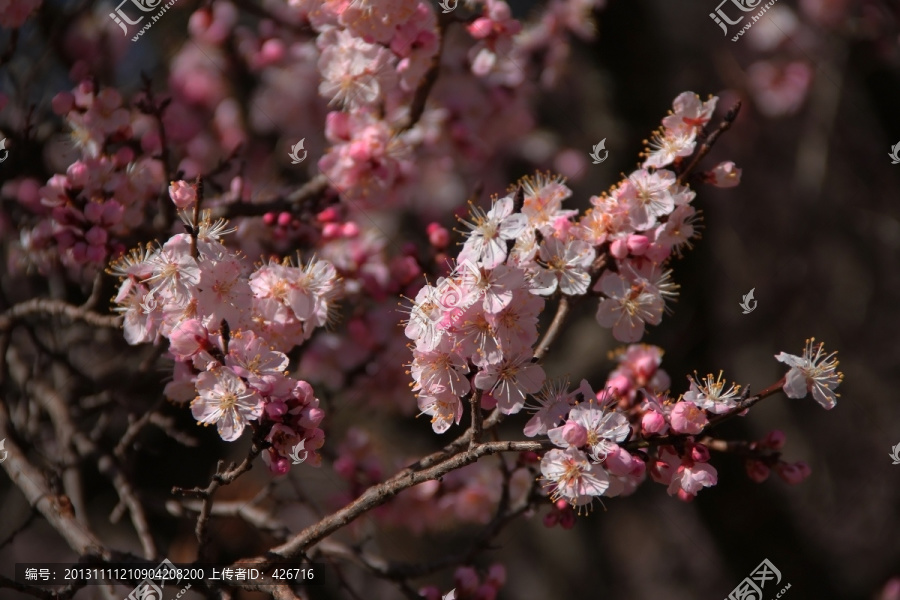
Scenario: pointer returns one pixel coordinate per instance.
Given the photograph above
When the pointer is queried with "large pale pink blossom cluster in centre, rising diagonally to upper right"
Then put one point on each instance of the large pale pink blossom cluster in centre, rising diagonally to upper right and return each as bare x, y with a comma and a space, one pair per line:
483, 316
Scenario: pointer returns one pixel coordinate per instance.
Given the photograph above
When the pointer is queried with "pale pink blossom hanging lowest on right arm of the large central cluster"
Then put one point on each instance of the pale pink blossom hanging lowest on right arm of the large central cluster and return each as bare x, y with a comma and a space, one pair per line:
627, 307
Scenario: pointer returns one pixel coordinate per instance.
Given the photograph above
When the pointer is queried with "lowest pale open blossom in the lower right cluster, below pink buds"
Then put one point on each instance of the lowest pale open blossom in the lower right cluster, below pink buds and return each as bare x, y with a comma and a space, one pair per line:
573, 477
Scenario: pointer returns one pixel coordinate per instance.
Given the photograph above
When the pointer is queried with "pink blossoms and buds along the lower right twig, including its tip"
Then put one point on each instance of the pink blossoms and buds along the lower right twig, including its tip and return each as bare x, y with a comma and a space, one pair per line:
591, 462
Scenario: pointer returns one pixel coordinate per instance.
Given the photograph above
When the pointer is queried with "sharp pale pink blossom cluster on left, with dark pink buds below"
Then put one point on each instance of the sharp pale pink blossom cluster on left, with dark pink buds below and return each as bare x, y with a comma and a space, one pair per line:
228, 326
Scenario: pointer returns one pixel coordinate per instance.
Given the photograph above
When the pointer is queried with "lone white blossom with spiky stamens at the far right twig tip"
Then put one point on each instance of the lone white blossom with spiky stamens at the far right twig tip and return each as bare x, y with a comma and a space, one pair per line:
814, 372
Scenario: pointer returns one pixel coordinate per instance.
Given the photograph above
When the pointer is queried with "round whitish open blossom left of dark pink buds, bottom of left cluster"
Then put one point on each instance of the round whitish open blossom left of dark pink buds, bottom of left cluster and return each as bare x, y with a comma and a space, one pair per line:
225, 400
